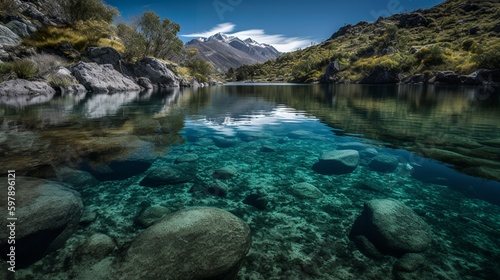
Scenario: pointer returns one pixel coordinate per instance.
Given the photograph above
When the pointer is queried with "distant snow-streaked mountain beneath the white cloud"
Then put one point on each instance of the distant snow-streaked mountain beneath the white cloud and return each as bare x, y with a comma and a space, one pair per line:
226, 52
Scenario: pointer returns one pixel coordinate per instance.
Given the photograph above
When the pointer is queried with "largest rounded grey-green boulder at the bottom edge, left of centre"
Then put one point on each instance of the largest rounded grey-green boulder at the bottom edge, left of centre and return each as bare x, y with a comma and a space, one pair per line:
198, 243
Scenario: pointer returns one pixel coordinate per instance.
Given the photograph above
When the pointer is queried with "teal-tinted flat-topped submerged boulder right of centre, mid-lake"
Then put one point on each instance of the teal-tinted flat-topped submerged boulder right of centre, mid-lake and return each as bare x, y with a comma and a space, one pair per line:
337, 162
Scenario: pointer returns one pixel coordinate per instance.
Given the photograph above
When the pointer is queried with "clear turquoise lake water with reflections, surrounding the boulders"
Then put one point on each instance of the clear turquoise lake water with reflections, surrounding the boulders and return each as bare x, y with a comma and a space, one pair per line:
267, 138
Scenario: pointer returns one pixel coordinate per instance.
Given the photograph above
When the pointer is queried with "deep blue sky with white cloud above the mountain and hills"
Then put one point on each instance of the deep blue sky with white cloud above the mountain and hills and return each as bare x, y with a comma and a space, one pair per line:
287, 25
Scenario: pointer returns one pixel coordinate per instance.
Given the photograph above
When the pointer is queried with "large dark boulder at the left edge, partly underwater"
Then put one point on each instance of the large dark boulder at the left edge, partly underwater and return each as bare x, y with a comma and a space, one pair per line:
48, 214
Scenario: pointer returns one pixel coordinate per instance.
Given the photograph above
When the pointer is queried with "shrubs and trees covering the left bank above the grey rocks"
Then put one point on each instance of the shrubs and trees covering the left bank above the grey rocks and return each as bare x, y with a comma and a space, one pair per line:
61, 32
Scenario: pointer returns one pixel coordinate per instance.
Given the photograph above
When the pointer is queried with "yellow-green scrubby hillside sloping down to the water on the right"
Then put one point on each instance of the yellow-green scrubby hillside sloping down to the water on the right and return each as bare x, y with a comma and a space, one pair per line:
461, 36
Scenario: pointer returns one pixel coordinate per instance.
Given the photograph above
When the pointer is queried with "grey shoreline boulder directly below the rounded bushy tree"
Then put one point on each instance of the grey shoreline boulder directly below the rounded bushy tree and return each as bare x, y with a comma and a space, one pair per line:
157, 72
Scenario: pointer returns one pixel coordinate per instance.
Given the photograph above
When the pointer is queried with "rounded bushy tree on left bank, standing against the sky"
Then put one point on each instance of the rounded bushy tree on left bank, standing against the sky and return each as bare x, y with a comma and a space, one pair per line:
160, 36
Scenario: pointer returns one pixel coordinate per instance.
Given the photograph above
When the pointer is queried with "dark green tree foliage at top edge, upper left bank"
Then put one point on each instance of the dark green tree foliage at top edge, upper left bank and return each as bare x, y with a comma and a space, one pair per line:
83, 10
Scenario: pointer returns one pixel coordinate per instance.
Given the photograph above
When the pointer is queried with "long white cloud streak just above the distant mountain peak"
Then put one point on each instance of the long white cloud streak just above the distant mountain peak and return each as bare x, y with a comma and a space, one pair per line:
279, 41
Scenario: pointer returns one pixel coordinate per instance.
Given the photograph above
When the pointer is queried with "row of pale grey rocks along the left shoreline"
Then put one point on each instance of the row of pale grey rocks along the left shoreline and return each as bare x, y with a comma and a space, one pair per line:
106, 73
